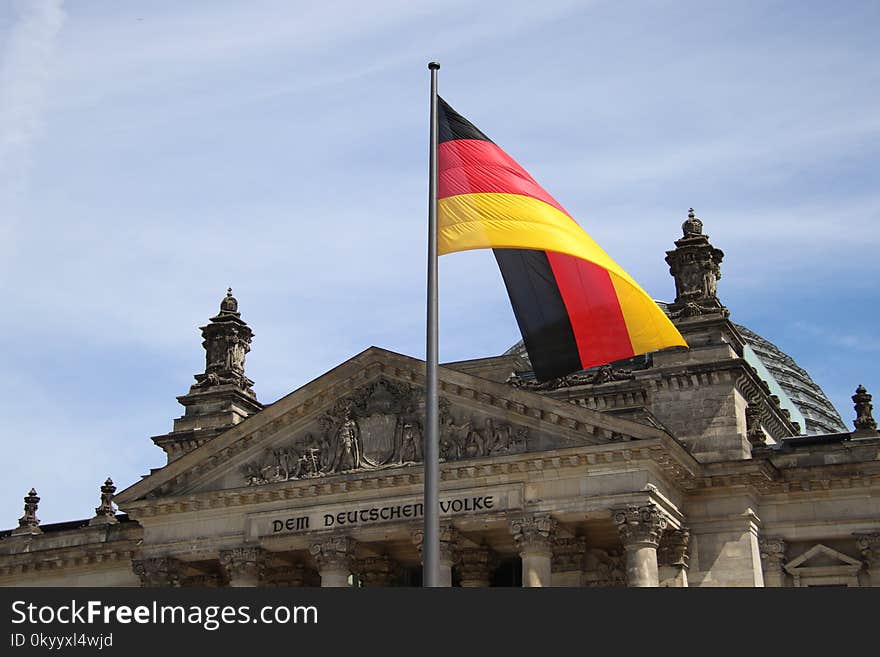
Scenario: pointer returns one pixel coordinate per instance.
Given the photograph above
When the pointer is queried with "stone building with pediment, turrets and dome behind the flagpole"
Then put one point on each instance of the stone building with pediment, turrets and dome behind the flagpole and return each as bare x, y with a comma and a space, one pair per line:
722, 464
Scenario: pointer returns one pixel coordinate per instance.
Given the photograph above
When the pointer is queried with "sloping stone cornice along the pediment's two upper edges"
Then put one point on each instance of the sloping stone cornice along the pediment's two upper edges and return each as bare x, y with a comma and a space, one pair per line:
526, 408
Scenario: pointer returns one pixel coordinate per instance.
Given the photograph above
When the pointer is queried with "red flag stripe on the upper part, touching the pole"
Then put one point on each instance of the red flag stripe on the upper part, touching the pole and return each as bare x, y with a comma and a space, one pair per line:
472, 166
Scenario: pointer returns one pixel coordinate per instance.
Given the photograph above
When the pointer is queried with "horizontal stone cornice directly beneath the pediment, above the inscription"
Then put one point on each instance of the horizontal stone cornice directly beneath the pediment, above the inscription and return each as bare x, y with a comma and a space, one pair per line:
671, 458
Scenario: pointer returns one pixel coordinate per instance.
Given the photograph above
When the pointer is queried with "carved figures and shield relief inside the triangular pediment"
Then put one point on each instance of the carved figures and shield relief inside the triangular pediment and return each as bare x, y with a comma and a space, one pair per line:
380, 427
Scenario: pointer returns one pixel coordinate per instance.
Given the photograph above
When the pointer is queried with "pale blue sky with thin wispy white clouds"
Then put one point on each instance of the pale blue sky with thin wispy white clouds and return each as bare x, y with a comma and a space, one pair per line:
152, 154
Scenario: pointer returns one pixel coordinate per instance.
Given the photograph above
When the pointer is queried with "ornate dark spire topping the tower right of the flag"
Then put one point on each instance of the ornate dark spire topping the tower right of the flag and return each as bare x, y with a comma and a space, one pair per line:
696, 267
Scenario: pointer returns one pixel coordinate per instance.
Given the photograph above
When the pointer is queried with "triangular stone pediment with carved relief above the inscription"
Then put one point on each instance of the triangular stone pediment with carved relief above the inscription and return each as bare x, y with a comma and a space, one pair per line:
367, 415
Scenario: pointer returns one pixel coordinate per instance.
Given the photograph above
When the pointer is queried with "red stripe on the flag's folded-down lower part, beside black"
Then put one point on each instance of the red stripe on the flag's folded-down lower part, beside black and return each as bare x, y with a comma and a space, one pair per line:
593, 309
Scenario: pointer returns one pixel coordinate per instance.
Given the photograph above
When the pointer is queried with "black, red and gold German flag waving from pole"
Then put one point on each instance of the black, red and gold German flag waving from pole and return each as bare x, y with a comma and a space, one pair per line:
576, 307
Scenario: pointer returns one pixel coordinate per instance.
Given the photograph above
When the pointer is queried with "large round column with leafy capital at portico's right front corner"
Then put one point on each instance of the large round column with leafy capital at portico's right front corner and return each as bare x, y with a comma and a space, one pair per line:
640, 528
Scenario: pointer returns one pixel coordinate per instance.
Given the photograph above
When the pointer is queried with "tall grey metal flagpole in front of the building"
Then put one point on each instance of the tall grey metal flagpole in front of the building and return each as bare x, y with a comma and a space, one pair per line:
431, 539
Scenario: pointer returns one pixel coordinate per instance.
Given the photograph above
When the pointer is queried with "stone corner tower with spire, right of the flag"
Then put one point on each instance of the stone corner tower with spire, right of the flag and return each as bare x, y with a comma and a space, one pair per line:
717, 369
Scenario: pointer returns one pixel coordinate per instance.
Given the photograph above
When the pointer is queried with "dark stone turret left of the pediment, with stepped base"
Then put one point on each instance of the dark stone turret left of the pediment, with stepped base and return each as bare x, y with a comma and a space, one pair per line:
222, 395
